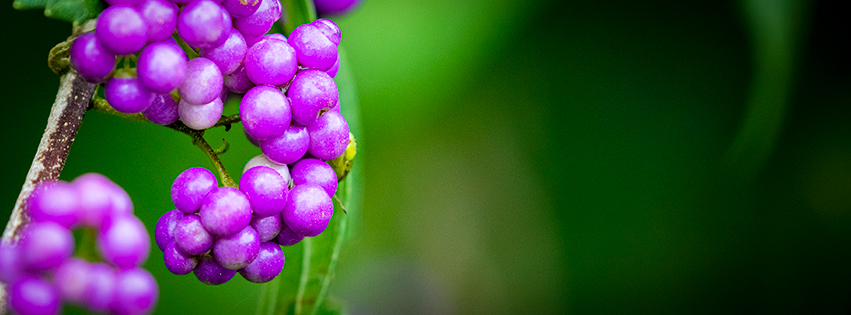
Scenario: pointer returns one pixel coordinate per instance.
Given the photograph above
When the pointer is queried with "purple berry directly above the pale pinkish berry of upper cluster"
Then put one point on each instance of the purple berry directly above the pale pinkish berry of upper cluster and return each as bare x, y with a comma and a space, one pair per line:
203, 81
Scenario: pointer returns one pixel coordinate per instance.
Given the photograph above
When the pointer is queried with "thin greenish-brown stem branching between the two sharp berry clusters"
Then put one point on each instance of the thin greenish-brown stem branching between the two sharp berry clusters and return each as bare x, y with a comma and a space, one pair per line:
101, 105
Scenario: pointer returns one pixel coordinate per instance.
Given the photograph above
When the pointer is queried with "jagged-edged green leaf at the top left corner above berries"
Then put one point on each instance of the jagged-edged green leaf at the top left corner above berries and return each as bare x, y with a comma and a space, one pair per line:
74, 11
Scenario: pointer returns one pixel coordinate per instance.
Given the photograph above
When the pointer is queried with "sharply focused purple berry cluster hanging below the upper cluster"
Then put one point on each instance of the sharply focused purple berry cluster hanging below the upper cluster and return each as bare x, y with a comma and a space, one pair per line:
216, 232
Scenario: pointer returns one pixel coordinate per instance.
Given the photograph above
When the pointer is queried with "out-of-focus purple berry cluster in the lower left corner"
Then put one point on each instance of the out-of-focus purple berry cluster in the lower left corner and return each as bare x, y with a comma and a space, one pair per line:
41, 271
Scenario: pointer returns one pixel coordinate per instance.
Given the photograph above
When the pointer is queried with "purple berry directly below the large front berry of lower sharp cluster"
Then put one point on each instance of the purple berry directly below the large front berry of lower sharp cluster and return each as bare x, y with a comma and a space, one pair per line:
238, 250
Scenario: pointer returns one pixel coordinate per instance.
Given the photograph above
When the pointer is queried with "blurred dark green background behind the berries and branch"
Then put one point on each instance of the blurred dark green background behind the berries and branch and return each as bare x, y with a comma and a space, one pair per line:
542, 157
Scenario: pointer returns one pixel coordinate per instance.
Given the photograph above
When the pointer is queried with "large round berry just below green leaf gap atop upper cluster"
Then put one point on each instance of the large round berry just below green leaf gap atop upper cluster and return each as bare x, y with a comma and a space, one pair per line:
270, 62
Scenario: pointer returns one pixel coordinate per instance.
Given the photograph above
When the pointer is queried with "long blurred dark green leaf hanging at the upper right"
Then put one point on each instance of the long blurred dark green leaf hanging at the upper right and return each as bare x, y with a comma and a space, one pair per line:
775, 28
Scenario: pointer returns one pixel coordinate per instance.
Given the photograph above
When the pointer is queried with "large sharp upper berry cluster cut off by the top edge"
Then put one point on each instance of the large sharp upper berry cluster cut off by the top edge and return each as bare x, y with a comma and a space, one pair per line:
233, 54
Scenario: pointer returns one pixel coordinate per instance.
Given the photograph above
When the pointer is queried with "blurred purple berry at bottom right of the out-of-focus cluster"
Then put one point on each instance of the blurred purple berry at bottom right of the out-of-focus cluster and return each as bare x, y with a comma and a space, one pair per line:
136, 292
